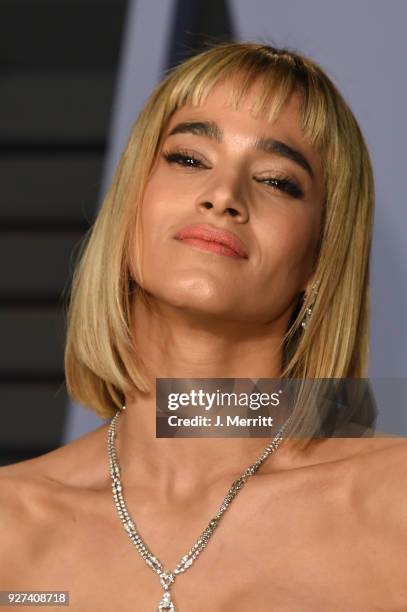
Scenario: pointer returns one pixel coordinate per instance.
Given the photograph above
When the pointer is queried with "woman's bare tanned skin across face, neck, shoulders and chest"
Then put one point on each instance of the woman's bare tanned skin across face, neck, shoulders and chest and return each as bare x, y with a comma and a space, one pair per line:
317, 530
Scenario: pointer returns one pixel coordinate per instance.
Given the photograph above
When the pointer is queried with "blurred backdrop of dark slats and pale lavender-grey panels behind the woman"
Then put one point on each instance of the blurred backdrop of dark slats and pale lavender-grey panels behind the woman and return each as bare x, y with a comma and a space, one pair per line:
73, 76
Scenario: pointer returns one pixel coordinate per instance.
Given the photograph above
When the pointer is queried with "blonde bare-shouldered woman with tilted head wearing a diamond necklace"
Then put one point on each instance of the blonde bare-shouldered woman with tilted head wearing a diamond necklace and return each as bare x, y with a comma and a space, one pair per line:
256, 145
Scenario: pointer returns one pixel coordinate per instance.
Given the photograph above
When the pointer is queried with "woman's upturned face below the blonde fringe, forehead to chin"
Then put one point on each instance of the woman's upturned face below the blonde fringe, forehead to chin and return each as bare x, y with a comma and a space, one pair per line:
261, 182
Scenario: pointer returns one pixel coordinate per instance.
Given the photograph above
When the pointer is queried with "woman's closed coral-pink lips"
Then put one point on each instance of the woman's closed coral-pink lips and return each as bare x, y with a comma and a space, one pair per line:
214, 236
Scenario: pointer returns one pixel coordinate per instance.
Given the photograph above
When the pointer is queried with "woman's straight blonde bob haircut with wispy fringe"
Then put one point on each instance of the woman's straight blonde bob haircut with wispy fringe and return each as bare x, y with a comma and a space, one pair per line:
101, 359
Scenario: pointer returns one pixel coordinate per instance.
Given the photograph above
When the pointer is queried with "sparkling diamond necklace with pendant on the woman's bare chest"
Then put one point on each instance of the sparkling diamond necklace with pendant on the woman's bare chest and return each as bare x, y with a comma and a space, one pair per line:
166, 577
